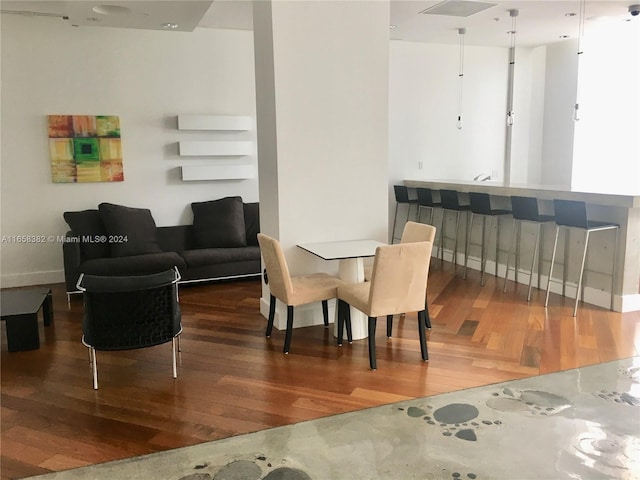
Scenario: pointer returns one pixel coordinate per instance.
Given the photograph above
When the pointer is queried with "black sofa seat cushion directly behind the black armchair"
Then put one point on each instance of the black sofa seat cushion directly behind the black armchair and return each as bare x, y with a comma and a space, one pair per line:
134, 265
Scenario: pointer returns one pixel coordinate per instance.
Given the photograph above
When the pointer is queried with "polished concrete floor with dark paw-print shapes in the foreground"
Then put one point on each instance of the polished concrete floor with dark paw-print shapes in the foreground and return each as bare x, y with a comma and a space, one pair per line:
577, 424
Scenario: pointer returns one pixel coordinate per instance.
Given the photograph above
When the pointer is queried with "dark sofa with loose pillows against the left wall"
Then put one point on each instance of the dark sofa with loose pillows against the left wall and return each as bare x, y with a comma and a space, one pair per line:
116, 240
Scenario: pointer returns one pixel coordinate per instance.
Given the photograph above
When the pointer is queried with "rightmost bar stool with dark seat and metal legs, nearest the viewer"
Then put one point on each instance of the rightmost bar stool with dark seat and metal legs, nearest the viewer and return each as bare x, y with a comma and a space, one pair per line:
573, 214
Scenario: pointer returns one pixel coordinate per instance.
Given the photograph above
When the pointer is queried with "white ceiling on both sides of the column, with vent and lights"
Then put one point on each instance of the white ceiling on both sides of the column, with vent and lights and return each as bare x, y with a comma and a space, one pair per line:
537, 22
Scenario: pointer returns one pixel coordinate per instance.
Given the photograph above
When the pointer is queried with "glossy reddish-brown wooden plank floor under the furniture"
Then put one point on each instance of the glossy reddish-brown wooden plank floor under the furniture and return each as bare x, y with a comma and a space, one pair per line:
233, 380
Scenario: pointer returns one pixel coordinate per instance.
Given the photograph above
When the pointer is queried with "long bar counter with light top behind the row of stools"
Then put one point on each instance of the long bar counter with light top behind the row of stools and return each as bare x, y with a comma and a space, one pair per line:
623, 209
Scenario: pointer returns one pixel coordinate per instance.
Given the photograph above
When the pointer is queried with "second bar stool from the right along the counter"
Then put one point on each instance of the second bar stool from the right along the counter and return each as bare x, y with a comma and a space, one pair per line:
525, 209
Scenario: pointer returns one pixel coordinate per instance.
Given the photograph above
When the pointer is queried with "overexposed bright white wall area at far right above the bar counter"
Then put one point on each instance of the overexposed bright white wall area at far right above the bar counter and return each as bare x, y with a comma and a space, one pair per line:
607, 136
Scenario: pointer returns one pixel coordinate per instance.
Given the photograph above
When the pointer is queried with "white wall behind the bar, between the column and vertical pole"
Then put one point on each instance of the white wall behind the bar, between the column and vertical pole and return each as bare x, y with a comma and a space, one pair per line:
423, 109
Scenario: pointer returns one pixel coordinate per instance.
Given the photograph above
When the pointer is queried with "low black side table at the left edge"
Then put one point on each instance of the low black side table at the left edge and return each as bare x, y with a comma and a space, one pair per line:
19, 310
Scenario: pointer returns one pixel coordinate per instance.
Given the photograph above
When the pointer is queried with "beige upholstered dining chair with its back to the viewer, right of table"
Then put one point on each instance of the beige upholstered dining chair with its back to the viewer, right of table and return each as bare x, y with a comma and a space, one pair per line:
398, 285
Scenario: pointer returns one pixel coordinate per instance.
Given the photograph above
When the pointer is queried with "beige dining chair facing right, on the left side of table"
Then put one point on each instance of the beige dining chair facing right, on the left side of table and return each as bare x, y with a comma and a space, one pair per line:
293, 290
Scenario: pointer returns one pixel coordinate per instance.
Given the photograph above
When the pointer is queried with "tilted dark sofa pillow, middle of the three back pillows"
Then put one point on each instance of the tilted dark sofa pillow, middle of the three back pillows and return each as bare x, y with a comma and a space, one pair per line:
131, 231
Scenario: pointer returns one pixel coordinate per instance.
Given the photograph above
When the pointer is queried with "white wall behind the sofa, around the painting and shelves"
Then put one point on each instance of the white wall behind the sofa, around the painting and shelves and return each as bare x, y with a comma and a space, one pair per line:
144, 77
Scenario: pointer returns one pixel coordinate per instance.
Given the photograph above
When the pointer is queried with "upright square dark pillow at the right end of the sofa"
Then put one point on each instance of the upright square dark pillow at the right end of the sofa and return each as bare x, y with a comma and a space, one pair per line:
219, 223
